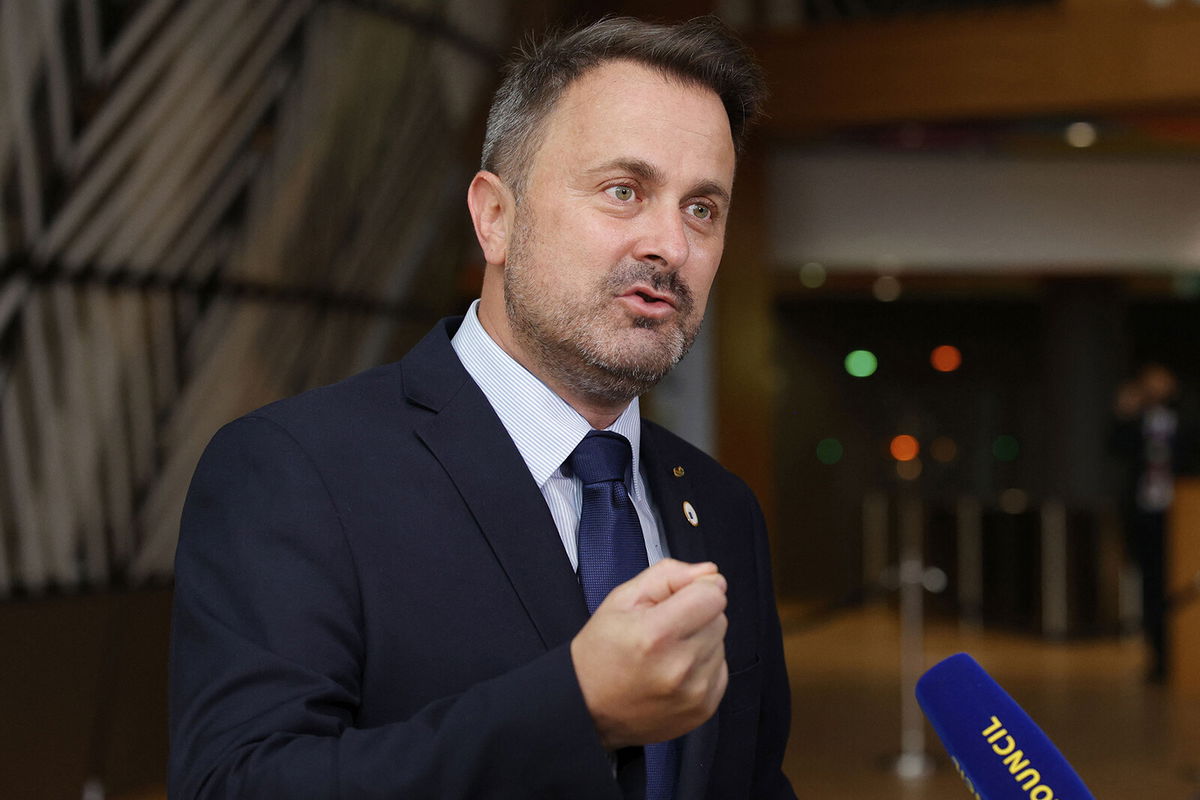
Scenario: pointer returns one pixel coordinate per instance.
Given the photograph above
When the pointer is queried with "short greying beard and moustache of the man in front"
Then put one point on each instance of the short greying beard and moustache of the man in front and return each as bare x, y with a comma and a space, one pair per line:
574, 346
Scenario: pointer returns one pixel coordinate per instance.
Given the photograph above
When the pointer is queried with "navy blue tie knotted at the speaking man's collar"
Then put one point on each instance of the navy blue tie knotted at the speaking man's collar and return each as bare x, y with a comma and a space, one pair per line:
611, 551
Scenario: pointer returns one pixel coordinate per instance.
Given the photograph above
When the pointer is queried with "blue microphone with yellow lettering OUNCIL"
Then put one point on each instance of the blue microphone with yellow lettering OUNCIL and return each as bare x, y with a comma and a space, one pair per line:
1000, 753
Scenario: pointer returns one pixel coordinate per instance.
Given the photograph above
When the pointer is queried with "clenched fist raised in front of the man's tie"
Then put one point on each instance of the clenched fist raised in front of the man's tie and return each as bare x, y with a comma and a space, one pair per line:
651, 661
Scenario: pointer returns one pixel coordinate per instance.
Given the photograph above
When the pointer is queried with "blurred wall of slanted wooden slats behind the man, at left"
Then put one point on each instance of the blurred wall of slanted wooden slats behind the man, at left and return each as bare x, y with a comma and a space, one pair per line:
155, 160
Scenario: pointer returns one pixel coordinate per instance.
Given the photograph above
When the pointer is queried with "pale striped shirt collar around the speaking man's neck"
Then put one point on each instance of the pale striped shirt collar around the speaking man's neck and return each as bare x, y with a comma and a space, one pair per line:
543, 426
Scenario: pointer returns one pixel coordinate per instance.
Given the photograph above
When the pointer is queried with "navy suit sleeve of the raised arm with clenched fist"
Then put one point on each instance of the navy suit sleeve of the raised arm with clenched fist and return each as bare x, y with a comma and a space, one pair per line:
268, 652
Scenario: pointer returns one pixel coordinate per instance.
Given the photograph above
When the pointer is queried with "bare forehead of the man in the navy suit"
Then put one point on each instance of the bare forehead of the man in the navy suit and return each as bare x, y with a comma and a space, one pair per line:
626, 110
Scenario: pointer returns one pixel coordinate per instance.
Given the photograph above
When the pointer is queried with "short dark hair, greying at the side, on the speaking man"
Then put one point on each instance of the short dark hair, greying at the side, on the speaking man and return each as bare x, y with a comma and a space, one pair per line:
703, 52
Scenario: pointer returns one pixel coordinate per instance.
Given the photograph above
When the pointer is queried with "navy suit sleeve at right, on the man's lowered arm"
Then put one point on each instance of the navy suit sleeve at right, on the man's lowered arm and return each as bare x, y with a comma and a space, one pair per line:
776, 715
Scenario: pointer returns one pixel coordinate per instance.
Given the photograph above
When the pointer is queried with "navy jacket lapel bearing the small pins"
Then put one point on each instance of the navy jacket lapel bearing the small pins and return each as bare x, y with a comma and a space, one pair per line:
671, 486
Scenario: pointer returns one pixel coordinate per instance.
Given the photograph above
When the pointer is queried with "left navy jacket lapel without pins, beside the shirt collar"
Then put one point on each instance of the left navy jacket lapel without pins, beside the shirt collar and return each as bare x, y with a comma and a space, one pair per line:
475, 449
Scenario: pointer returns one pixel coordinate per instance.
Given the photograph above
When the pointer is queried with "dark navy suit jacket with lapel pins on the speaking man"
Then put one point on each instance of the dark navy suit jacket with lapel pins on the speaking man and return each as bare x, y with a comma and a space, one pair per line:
373, 601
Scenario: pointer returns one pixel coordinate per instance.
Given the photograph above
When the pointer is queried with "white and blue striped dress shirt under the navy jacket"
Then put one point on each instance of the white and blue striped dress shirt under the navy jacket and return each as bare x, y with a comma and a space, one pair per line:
545, 430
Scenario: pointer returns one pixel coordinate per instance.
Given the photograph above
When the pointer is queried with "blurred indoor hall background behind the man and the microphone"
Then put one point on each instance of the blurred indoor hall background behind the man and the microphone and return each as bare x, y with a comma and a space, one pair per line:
953, 347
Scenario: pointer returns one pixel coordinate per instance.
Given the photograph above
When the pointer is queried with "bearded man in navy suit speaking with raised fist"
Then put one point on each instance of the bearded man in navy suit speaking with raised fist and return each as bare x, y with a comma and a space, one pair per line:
400, 586
